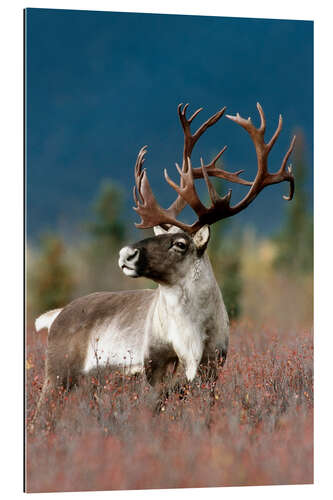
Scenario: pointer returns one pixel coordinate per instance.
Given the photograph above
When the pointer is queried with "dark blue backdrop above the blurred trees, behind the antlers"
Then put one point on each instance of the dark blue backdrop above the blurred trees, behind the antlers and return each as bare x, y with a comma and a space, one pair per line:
101, 84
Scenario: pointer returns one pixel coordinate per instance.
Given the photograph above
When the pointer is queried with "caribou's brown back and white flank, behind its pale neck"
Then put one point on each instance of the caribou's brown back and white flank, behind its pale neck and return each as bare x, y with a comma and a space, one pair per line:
103, 328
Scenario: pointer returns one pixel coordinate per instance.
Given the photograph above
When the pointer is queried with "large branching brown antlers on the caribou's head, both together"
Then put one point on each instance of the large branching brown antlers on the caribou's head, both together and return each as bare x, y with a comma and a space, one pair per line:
152, 214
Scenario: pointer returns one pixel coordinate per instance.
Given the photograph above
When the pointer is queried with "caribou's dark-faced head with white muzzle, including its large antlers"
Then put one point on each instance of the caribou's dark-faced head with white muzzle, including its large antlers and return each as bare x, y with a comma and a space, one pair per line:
178, 247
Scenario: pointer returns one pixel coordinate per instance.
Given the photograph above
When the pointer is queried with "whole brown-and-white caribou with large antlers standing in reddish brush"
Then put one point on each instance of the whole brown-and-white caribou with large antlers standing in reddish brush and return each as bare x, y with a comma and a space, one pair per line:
182, 323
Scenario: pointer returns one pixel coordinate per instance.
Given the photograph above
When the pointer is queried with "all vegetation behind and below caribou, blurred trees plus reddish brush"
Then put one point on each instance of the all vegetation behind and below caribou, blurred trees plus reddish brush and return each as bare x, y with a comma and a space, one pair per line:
259, 429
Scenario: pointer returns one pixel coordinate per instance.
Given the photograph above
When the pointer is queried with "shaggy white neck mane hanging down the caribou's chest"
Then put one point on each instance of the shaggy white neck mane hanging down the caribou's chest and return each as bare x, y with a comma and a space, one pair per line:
185, 314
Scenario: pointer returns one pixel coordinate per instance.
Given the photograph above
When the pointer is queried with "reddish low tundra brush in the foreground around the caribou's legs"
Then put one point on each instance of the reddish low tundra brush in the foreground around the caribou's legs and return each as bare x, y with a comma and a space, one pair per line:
259, 431
